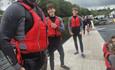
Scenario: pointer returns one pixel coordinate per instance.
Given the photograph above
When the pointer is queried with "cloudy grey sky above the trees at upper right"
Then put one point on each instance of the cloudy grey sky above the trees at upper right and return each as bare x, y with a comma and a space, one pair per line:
94, 4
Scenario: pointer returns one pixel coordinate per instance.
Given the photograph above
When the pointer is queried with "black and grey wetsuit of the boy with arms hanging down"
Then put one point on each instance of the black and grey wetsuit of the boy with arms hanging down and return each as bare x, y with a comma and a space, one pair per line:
76, 33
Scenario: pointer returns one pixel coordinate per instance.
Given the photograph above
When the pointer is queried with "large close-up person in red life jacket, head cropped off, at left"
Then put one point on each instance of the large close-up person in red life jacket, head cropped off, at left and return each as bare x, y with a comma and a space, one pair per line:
25, 24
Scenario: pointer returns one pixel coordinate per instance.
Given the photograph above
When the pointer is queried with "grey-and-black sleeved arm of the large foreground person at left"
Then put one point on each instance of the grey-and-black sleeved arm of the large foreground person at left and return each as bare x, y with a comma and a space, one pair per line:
9, 25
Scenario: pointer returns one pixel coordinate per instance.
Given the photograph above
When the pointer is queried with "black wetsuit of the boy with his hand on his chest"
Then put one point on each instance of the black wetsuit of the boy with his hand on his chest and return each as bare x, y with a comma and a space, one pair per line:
55, 44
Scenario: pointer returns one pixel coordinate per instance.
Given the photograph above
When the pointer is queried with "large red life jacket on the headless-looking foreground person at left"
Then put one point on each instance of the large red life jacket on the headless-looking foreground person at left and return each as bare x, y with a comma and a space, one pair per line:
36, 38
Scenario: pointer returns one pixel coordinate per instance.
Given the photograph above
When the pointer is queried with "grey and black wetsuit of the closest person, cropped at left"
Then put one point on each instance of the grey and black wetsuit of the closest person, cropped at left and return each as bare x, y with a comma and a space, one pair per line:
12, 18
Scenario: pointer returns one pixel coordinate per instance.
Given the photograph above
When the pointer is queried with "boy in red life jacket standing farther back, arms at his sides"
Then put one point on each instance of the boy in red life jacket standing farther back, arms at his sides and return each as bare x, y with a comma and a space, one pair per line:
75, 26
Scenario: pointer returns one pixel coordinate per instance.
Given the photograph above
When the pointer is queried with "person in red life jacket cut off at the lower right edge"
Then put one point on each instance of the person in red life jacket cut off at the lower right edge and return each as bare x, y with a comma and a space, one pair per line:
109, 54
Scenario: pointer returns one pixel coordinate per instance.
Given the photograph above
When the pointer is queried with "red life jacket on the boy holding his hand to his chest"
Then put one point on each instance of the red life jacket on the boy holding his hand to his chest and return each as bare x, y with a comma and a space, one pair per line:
51, 31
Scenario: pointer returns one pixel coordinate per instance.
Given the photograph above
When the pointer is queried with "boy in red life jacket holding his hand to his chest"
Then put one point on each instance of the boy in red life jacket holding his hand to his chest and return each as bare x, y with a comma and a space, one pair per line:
55, 27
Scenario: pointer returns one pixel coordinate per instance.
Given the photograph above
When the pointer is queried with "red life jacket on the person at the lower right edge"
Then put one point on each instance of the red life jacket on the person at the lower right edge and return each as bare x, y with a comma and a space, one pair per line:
106, 55
